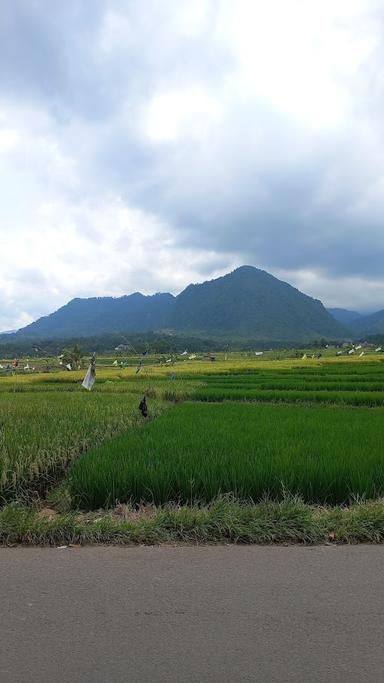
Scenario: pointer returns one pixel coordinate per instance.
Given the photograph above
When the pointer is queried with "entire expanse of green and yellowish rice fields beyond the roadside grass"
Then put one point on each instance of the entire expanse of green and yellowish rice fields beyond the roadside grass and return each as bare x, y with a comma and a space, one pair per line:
239, 425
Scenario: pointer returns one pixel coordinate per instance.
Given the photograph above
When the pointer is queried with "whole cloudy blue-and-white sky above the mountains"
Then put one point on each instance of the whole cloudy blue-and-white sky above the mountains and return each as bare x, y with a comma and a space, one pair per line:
147, 144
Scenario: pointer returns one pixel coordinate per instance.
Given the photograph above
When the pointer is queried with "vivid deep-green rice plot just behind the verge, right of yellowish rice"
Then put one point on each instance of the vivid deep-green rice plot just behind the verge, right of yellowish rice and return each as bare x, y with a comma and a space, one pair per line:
200, 451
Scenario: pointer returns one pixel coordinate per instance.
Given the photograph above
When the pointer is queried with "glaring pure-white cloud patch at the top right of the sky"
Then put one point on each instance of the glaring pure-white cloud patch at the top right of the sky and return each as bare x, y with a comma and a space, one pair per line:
299, 57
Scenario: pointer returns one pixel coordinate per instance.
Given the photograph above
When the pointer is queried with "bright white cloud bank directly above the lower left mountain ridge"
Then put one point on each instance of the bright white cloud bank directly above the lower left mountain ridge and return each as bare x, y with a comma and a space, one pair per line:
95, 248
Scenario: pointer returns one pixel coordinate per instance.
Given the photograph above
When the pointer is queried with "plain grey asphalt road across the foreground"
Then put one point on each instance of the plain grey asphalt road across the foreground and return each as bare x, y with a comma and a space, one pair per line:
183, 614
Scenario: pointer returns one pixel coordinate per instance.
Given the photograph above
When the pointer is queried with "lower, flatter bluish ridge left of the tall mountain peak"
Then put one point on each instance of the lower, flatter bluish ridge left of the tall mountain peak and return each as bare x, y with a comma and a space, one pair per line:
98, 315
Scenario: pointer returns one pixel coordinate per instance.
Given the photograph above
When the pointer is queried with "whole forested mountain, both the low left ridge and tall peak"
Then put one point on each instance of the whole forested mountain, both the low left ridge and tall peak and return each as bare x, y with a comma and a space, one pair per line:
247, 303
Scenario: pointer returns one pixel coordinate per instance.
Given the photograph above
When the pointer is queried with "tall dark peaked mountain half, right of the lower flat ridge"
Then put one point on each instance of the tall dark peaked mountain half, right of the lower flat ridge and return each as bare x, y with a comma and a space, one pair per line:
250, 301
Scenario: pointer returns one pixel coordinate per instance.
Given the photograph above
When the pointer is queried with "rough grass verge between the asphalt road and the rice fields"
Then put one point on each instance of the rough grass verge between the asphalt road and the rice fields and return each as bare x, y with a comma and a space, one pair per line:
224, 521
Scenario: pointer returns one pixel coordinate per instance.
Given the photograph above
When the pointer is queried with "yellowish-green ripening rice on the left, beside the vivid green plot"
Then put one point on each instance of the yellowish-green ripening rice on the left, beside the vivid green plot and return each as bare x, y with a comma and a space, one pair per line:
47, 420
